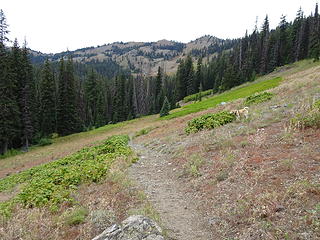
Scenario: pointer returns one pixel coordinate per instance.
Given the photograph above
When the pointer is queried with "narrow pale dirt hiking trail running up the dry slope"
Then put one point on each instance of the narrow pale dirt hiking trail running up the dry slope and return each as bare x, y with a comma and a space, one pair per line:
154, 174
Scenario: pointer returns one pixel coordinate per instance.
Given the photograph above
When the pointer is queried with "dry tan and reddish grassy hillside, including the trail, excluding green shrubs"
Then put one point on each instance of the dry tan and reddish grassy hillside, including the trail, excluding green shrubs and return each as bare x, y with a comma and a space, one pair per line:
255, 178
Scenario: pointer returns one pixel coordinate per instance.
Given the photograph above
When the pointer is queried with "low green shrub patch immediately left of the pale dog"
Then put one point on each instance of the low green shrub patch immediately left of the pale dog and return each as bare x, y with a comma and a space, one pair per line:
209, 121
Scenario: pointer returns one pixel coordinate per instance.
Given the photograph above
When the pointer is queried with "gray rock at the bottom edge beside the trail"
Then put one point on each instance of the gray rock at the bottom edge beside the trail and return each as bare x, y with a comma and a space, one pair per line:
133, 228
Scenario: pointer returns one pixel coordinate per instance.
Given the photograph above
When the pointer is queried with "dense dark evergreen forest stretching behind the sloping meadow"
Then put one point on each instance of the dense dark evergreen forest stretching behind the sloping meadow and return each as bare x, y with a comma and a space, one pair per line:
64, 97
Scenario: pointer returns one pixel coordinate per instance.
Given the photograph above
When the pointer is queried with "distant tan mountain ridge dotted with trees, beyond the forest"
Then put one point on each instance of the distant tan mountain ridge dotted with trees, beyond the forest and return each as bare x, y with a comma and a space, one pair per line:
142, 57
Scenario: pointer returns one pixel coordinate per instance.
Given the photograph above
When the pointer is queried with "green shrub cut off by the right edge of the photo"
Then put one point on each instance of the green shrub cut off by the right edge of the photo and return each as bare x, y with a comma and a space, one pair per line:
309, 119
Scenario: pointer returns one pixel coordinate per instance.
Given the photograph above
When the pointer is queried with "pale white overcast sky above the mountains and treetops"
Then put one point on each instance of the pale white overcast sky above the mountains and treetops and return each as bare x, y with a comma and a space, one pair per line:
58, 25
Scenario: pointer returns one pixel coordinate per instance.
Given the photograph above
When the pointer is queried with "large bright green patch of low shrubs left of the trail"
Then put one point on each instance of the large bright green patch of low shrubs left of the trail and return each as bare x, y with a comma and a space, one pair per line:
53, 183
